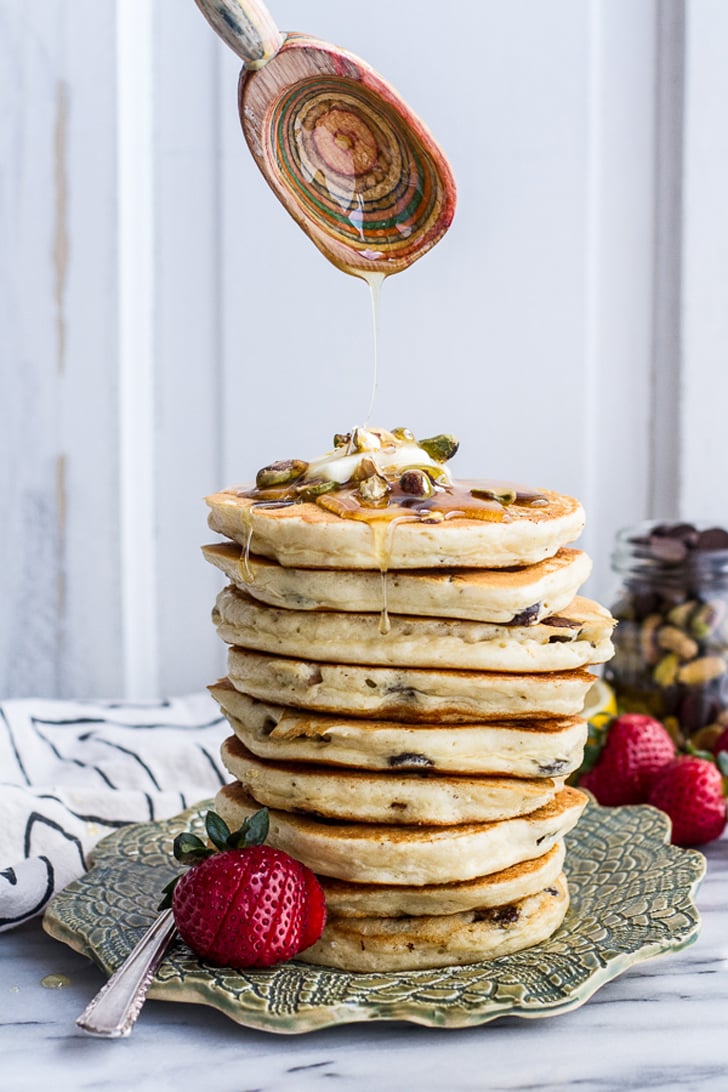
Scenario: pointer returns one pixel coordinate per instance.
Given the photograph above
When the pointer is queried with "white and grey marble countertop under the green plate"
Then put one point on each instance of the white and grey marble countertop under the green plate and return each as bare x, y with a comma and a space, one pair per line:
661, 1026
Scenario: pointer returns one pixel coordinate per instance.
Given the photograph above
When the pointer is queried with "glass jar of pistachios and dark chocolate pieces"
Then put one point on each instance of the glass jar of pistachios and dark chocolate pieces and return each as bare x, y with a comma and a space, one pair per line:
672, 639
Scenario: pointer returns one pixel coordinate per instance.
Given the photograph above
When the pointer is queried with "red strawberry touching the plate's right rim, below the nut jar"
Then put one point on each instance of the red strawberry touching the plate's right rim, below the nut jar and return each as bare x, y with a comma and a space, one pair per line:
690, 790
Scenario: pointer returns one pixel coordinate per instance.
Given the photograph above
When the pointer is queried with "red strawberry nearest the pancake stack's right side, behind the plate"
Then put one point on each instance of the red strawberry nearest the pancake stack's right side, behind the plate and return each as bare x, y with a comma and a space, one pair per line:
637, 747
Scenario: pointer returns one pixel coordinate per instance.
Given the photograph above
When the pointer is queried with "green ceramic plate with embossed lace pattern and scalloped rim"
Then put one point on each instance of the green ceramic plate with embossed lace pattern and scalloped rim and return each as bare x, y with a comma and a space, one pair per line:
632, 898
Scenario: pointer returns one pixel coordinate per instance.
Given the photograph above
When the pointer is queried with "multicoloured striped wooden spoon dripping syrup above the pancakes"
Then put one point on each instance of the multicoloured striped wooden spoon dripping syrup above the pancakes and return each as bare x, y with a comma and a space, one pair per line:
338, 146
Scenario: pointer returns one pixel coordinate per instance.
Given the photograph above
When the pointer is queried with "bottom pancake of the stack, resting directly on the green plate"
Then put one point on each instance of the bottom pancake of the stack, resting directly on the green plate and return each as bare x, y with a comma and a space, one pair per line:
415, 944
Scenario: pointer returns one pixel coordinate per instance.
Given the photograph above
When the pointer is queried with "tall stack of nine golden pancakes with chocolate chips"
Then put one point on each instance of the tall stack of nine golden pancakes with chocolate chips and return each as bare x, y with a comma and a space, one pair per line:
404, 692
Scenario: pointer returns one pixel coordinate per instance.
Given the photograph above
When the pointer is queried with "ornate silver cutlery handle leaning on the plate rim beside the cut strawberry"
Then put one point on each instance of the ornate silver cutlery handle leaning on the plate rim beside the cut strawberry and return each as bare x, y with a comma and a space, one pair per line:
114, 1012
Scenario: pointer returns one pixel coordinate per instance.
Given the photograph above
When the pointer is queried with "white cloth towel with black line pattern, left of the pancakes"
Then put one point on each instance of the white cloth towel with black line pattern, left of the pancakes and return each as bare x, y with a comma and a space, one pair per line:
74, 771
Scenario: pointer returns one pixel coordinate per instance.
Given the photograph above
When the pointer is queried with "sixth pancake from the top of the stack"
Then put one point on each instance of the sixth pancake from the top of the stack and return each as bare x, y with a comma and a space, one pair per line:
389, 797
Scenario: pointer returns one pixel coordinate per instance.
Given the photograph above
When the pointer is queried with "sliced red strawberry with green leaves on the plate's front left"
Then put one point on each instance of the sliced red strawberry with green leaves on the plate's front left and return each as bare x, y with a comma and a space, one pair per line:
247, 906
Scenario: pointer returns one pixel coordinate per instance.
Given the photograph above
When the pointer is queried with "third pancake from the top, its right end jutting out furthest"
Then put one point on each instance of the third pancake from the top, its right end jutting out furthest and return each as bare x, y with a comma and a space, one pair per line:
580, 636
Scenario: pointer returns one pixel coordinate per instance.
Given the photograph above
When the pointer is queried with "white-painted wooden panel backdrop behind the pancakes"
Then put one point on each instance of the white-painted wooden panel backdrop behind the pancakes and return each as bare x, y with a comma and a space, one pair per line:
165, 328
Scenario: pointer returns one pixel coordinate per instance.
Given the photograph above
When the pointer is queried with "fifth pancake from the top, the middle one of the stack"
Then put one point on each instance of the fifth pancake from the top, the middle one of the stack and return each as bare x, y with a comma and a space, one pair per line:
535, 749
